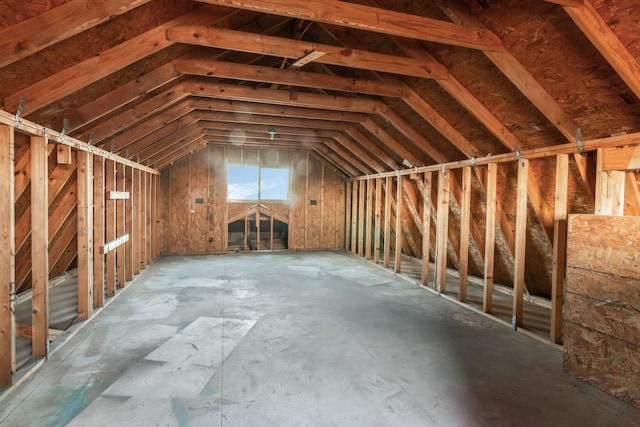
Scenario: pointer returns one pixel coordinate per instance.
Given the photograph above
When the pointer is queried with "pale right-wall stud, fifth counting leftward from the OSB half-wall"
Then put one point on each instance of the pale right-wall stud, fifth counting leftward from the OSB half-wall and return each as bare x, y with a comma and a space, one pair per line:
444, 182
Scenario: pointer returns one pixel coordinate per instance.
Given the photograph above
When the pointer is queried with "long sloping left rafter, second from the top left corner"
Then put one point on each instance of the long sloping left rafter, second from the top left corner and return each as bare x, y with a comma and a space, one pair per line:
89, 71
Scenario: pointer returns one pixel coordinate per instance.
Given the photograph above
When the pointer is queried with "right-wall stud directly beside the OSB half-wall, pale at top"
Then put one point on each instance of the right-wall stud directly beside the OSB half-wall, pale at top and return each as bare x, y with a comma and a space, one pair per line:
559, 247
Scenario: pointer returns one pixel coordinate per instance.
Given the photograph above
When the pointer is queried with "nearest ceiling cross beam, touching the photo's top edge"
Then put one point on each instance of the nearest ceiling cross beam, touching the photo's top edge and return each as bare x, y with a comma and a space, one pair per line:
372, 19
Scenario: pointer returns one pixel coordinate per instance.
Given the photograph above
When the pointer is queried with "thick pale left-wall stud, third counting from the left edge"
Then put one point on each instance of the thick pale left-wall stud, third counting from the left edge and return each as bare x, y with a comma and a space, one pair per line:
85, 234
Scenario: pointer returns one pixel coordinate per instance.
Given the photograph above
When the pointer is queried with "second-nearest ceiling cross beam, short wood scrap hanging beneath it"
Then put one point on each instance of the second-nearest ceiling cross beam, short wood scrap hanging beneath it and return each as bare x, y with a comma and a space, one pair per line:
261, 44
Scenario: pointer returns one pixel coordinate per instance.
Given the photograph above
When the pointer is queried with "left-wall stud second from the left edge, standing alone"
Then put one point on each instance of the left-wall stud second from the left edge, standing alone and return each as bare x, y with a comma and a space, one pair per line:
39, 247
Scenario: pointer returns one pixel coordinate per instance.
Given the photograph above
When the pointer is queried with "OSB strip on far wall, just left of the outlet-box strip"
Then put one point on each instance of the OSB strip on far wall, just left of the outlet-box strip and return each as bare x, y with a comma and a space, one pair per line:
178, 207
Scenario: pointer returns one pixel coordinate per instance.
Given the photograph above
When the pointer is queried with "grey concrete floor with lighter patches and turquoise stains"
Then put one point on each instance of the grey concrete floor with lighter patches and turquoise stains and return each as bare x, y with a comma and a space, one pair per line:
305, 339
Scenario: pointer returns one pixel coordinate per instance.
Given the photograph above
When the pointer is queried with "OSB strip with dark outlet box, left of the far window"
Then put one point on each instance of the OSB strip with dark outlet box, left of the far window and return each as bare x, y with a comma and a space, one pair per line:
198, 189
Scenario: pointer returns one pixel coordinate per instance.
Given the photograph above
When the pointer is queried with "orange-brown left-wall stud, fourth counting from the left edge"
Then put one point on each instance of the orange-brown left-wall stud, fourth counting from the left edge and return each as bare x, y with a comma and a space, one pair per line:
98, 229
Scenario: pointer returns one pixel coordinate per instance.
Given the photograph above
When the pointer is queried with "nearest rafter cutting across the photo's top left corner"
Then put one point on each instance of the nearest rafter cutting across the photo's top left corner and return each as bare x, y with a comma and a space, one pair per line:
41, 31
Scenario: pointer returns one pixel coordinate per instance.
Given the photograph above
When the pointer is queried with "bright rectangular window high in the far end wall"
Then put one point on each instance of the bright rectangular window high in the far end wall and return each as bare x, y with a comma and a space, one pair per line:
255, 183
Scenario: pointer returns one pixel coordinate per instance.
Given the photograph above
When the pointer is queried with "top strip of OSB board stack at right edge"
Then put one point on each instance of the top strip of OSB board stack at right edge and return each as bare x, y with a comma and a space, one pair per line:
605, 244
